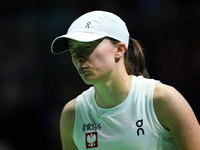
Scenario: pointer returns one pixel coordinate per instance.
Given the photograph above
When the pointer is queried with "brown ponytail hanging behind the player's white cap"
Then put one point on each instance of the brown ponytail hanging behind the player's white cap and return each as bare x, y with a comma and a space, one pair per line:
135, 62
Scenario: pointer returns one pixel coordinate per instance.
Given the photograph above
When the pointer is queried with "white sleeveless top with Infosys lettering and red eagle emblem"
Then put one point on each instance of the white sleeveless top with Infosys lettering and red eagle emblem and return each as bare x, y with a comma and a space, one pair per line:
132, 125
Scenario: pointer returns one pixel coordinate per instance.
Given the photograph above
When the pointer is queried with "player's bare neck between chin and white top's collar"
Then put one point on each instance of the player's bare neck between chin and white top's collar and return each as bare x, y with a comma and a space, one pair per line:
113, 92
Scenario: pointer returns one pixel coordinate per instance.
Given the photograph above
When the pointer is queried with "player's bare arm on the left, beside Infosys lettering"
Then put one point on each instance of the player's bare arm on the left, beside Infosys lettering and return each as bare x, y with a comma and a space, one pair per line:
67, 125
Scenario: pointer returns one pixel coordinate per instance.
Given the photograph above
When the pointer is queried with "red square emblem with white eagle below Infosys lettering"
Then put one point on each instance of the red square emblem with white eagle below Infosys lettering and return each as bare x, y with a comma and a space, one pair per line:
91, 140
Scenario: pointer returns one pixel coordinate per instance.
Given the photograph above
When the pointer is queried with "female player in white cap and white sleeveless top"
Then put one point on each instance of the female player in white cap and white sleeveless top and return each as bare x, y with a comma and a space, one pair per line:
124, 108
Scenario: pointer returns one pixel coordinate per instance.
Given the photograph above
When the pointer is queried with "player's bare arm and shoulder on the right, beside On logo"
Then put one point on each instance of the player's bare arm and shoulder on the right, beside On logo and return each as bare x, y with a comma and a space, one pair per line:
176, 115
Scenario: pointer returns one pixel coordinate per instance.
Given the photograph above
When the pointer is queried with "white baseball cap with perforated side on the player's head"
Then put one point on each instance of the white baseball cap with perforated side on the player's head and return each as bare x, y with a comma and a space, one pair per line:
90, 27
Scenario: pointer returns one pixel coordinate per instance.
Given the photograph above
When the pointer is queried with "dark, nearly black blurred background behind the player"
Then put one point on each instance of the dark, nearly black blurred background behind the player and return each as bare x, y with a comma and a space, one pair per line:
35, 84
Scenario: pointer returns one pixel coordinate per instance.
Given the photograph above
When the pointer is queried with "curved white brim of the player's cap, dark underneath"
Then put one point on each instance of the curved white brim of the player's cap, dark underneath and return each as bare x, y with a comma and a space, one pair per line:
60, 44
